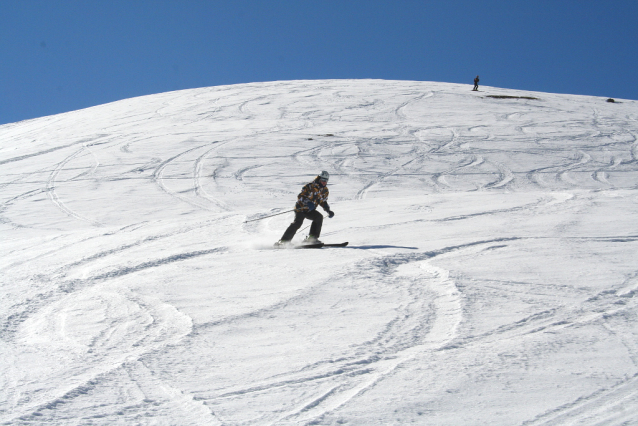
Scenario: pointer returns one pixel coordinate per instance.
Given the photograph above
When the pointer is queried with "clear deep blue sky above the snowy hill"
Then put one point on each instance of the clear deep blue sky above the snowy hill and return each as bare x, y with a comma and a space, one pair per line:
63, 55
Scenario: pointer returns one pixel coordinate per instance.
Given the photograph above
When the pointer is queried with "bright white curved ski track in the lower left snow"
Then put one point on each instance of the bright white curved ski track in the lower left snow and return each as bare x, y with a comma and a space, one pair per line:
154, 325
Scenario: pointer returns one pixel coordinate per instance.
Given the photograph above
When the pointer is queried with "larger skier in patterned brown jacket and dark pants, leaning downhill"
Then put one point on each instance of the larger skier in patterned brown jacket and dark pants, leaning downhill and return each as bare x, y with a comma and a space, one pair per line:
312, 195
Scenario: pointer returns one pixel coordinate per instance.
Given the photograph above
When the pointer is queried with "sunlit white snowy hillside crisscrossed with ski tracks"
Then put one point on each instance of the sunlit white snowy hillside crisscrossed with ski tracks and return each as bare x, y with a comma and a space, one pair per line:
491, 276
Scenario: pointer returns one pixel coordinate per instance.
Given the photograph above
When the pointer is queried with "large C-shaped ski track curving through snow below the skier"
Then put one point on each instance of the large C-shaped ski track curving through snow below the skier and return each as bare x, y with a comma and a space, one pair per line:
404, 337
